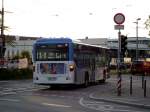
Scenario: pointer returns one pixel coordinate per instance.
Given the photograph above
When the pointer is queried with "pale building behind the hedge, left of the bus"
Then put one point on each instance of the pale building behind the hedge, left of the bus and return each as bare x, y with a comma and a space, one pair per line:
16, 44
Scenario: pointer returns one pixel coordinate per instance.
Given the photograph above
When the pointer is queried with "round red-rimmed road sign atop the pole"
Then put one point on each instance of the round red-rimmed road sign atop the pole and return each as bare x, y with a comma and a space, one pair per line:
119, 18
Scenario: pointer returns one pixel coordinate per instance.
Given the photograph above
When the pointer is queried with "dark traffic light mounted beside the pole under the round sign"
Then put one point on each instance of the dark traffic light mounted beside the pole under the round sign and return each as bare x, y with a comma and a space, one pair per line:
123, 45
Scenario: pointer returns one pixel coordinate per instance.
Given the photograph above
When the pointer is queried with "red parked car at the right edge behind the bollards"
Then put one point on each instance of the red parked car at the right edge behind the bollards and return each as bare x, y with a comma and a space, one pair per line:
140, 67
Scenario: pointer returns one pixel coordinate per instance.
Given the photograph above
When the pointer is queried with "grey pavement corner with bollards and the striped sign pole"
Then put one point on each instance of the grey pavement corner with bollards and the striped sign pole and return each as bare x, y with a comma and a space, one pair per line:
108, 93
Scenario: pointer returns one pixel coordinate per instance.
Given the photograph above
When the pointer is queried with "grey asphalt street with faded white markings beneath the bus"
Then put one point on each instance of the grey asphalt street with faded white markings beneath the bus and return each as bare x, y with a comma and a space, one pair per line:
24, 96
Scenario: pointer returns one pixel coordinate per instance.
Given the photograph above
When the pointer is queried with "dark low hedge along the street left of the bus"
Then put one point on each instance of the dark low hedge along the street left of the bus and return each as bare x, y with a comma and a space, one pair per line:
15, 74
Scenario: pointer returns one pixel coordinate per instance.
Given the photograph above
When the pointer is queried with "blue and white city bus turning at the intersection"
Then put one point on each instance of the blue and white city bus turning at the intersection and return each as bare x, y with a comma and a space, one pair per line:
63, 61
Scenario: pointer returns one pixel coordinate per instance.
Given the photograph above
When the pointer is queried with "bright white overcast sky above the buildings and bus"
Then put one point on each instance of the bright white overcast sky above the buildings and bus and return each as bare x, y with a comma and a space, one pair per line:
74, 18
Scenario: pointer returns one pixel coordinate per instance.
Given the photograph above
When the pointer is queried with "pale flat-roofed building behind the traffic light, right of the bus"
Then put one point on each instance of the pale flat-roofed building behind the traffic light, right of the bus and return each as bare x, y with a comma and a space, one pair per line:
143, 46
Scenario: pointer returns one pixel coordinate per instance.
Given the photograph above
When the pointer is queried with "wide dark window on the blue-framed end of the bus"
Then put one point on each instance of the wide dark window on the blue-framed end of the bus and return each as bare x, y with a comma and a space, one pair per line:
52, 52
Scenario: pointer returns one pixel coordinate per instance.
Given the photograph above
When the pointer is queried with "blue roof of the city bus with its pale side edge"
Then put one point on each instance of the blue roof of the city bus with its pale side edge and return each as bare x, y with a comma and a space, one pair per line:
64, 40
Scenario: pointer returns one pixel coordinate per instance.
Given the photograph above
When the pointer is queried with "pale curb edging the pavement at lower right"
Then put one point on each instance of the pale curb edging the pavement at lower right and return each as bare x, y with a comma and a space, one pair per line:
91, 96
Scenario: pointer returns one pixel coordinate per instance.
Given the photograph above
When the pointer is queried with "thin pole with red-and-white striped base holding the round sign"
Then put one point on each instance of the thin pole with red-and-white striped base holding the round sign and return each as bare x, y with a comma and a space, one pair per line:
119, 60
